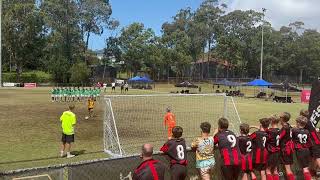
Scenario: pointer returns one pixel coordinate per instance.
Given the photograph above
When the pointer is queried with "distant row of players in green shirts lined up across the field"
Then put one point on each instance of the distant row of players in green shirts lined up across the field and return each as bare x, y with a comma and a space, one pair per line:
72, 94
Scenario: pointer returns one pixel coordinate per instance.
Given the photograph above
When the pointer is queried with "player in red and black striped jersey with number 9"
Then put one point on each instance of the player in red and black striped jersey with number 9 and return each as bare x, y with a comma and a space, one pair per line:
229, 150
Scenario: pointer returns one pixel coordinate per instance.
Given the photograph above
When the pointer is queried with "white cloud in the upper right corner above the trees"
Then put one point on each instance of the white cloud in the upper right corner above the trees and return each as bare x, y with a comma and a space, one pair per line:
283, 12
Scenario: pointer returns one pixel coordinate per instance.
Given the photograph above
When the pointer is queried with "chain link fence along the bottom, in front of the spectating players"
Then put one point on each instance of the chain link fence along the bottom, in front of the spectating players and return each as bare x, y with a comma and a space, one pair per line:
111, 169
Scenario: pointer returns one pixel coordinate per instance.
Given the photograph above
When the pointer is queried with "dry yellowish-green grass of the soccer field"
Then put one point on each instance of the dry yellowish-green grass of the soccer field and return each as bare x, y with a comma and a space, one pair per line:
30, 127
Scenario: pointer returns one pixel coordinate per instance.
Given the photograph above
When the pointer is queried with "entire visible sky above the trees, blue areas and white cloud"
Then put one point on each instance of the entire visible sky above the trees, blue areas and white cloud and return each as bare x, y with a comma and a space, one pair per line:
153, 13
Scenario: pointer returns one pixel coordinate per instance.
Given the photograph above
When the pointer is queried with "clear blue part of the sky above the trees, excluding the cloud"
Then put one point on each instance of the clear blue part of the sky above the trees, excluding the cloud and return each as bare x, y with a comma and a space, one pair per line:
152, 13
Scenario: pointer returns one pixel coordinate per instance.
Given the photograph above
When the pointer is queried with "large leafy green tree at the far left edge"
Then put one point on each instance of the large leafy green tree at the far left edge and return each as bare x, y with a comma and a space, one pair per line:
23, 34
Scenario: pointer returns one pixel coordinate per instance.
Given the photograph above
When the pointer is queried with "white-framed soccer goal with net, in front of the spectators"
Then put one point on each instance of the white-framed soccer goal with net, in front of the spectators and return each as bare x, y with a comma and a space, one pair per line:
132, 120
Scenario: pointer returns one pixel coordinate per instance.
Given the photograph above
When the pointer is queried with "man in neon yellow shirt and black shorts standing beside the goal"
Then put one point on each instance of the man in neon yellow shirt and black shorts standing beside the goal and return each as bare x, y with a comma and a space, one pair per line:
68, 121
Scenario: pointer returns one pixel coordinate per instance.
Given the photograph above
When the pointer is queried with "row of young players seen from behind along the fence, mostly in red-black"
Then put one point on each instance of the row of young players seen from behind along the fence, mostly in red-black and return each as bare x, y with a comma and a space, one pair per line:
263, 151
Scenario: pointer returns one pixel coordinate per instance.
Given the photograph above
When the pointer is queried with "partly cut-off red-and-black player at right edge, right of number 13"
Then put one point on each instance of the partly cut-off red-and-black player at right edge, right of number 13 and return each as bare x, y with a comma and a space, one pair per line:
314, 137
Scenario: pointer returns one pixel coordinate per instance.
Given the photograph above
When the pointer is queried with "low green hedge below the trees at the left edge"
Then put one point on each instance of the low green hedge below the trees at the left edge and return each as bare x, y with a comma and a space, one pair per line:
32, 76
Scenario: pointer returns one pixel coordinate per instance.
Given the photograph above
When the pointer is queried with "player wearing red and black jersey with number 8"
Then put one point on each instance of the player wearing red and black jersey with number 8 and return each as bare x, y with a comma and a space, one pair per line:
176, 150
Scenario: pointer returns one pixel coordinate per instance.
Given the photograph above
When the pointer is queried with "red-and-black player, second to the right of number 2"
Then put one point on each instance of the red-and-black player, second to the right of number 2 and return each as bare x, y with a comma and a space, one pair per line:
273, 148
